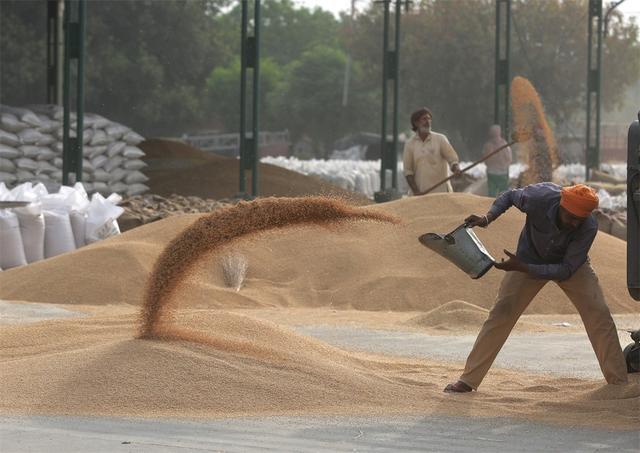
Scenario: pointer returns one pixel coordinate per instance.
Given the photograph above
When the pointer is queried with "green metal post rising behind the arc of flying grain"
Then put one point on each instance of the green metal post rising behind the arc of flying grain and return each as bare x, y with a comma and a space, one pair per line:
250, 59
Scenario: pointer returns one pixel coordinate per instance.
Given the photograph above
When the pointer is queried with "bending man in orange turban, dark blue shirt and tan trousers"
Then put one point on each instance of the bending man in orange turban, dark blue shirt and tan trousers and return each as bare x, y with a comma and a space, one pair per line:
554, 245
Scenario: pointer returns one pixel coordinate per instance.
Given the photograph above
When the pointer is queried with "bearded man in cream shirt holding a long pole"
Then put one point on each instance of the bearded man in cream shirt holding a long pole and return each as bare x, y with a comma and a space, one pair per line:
428, 156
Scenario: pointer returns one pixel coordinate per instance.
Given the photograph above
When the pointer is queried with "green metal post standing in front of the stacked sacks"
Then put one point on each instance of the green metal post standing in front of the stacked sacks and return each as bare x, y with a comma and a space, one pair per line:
74, 31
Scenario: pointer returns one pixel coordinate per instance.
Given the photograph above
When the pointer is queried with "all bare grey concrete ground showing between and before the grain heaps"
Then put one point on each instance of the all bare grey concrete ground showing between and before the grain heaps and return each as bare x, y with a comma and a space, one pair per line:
567, 354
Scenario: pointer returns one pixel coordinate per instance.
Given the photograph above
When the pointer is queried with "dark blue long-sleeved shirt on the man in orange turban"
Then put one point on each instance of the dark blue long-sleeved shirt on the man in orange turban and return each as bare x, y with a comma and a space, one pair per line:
550, 252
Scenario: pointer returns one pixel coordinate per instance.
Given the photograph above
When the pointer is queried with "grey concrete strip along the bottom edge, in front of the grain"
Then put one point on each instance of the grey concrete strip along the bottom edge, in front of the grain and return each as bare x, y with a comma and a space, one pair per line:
303, 434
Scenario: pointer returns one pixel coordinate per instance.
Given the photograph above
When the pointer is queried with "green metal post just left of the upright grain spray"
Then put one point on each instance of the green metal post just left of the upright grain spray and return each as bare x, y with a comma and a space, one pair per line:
502, 75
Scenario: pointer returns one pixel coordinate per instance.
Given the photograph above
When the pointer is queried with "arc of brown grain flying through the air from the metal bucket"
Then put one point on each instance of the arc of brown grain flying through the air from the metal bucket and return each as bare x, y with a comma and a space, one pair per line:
221, 228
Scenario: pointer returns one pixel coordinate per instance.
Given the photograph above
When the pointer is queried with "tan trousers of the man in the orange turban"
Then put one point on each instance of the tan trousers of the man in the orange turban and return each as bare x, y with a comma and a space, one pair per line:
516, 292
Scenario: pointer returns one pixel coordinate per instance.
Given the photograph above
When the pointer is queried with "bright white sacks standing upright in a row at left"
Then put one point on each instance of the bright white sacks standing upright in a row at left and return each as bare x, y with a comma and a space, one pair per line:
53, 223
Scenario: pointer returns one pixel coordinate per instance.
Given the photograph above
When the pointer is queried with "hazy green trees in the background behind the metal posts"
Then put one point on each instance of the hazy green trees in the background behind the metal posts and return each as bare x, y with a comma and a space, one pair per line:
166, 68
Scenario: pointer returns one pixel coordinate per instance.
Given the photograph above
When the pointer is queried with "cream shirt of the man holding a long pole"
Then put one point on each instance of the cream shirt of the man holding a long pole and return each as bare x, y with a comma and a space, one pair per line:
429, 161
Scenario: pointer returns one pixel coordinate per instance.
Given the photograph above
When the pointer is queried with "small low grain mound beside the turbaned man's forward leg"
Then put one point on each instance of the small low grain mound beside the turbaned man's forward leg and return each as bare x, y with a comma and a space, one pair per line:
454, 315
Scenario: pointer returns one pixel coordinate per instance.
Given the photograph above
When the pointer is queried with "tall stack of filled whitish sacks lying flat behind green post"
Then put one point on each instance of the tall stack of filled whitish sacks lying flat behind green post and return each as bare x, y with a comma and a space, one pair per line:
31, 151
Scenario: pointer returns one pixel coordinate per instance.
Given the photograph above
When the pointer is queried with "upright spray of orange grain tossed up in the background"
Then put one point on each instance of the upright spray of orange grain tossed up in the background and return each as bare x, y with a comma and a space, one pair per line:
528, 114
